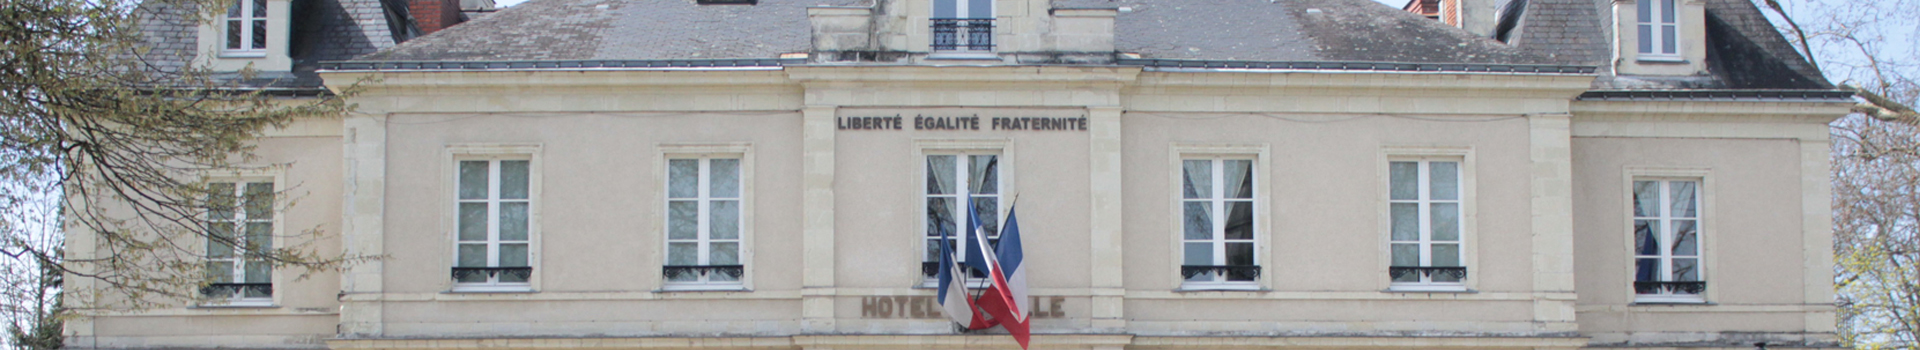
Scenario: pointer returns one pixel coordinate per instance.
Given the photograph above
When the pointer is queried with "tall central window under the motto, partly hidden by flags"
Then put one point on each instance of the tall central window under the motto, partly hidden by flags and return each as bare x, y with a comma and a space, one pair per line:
957, 182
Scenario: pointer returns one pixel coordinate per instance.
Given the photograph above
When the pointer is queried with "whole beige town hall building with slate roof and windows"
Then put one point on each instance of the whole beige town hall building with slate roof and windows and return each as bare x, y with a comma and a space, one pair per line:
1236, 174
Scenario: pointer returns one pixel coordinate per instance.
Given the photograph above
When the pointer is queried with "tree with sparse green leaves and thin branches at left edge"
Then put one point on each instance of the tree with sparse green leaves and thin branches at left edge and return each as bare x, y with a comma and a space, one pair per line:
103, 128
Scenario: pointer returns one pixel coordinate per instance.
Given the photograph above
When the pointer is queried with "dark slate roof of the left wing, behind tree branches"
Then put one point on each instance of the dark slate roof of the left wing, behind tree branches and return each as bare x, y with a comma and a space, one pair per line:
322, 32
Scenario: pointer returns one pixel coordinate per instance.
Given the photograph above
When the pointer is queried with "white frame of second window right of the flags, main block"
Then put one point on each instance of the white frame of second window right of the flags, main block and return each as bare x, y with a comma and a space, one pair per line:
1468, 207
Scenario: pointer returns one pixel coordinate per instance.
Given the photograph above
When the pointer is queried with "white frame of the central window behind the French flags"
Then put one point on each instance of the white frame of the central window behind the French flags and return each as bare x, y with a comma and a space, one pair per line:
963, 180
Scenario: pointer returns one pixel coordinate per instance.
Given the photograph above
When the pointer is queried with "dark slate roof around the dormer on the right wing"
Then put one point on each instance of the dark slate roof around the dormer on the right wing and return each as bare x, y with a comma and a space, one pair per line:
1744, 51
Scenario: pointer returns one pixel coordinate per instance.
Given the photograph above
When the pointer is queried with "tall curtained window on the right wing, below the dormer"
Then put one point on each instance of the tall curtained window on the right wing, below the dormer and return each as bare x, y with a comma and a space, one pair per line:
1668, 241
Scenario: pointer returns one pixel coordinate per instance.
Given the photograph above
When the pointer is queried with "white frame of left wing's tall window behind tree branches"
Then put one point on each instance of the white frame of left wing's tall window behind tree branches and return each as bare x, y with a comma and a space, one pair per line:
239, 272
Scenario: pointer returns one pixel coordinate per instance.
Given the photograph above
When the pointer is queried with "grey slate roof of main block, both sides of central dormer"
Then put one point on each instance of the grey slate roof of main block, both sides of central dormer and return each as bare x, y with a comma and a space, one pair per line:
1182, 30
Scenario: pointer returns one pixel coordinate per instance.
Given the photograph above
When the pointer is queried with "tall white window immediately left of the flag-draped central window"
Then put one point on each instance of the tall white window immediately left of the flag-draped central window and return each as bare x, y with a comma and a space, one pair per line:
704, 222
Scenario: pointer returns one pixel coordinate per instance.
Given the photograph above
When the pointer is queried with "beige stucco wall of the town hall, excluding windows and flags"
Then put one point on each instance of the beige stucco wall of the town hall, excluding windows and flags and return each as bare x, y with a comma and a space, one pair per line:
836, 214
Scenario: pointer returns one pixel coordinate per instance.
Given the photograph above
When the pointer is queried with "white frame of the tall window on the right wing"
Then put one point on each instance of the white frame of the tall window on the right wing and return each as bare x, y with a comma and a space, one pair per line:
1704, 236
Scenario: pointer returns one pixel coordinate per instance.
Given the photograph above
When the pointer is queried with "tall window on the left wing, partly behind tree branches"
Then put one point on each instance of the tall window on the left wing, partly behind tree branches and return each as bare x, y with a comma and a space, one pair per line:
239, 232
